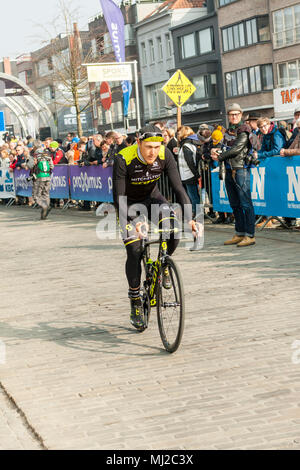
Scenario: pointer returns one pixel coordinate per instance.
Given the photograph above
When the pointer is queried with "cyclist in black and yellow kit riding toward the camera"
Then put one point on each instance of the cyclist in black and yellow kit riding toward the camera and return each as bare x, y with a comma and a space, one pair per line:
137, 169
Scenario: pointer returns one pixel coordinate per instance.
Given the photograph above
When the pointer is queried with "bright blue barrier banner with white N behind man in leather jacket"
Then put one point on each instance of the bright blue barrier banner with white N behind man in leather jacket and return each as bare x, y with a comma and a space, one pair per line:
275, 188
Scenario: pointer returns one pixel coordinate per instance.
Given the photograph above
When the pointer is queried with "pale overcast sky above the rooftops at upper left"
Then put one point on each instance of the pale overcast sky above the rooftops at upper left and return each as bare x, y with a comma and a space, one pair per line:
24, 22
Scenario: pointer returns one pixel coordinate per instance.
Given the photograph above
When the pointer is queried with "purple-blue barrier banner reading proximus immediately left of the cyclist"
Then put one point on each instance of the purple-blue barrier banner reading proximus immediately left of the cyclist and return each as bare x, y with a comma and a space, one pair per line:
91, 183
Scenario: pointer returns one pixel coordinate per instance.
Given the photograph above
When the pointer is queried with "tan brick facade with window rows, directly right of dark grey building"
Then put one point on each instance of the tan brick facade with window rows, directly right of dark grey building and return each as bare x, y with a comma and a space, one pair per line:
247, 54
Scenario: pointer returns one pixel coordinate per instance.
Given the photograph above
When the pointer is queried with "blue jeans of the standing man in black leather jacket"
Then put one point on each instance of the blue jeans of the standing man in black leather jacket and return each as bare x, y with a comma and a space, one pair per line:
239, 195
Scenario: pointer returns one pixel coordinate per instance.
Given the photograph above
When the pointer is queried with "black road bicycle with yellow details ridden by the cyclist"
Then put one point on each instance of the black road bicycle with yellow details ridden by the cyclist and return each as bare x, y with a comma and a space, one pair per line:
169, 302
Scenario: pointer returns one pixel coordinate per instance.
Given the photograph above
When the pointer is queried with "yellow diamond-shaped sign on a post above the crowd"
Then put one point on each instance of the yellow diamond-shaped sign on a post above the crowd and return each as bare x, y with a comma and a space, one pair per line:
179, 88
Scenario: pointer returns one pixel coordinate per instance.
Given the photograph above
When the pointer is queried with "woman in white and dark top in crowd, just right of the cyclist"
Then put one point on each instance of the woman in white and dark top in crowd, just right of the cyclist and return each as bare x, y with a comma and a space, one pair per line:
188, 164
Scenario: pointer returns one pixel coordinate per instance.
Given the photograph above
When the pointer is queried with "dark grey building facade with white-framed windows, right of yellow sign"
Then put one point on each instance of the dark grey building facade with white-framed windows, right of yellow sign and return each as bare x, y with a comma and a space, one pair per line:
197, 54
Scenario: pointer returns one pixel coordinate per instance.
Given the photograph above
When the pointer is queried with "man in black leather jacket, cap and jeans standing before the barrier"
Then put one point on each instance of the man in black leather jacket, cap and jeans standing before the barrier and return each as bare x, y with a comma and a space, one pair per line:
237, 180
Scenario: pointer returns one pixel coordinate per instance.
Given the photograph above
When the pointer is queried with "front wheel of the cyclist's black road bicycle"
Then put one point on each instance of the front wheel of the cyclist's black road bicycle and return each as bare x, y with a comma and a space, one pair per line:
170, 308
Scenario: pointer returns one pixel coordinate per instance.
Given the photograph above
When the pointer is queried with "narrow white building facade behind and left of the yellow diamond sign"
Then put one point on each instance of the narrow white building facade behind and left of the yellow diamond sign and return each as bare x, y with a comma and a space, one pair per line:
156, 53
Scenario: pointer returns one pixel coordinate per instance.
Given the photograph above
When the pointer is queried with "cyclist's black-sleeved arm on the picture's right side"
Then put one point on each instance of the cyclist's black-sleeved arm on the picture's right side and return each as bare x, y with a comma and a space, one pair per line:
176, 183
